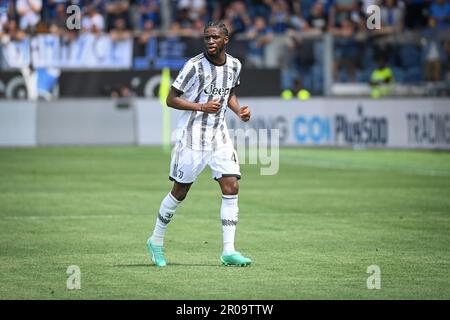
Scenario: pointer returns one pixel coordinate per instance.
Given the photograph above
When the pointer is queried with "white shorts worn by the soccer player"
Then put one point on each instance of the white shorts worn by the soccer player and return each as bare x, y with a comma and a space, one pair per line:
187, 164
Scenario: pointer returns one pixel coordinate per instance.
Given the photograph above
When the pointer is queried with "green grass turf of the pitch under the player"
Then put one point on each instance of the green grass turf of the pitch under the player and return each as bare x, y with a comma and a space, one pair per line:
312, 230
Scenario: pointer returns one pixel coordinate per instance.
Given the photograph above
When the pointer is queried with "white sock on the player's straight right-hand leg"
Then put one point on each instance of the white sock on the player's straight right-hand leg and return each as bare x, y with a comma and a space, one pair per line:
229, 215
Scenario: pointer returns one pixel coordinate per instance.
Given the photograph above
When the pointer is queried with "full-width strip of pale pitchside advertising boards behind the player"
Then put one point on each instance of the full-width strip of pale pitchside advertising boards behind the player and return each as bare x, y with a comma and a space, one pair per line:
366, 123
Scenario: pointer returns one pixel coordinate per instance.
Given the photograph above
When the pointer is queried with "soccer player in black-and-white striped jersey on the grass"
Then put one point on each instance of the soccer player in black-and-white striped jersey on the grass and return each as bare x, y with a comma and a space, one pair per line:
204, 90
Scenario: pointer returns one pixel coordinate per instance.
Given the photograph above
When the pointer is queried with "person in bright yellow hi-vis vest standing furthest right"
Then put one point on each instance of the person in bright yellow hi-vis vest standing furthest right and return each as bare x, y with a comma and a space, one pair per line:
382, 79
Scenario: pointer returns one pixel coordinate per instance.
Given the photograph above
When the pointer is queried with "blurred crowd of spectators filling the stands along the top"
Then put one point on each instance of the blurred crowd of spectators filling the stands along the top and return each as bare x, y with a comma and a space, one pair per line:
413, 39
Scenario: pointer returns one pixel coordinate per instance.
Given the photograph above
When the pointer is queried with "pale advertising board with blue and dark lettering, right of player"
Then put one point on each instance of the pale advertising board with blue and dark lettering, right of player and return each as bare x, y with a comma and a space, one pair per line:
399, 123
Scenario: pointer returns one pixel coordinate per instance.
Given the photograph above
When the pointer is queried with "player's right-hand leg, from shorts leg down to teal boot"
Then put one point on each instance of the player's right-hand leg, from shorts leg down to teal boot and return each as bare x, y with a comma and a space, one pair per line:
225, 168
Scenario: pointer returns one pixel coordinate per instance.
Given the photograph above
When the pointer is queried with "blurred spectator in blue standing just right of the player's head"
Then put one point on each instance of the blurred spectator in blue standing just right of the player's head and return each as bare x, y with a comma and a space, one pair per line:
259, 35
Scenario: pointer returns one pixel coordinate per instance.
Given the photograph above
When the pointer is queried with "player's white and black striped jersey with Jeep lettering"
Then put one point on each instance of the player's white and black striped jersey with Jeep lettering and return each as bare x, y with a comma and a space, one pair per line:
201, 80
